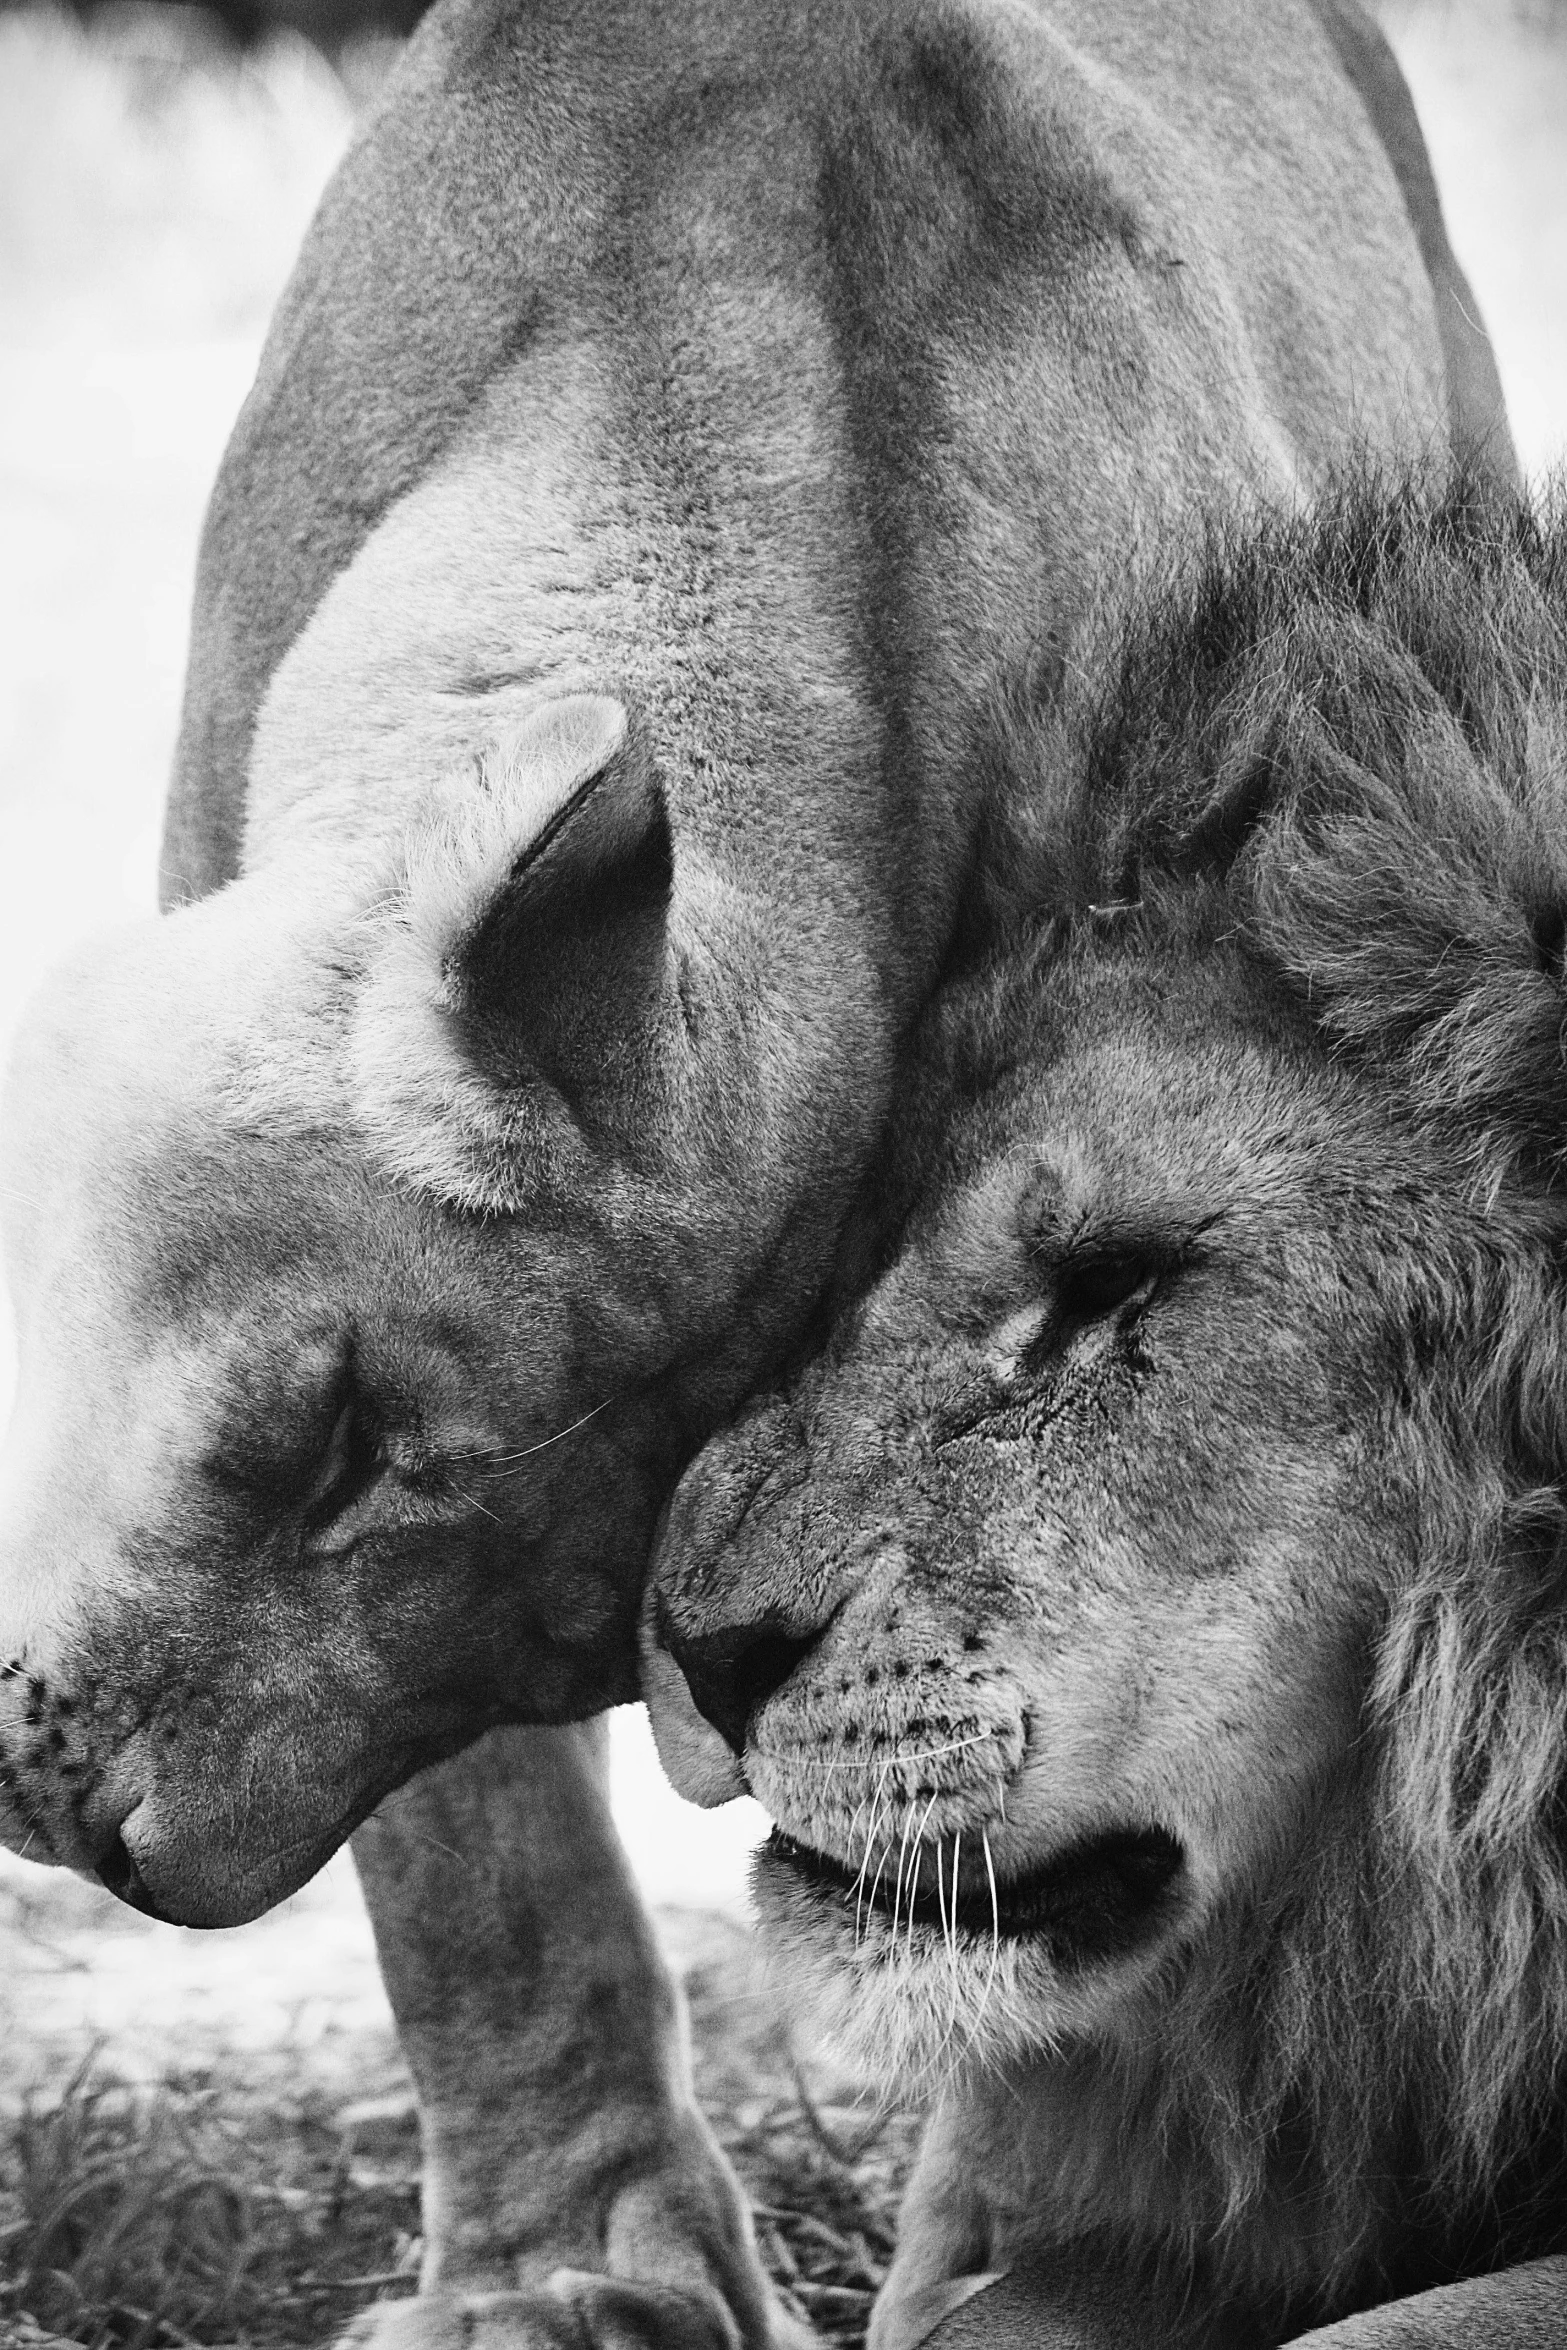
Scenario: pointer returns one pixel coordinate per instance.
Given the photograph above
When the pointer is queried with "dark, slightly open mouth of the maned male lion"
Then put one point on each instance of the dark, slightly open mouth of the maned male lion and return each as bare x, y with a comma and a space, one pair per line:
1094, 1902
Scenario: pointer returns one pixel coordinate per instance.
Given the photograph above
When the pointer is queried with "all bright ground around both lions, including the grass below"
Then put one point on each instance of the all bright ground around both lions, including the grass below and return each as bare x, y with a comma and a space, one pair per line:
208, 2137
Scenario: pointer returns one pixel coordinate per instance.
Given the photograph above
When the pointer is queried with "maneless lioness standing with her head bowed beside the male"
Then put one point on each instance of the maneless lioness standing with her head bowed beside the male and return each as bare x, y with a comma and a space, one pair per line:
680, 434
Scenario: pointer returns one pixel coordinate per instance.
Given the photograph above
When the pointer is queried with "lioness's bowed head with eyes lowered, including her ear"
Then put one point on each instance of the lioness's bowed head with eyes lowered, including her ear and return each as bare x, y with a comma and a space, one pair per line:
365, 1310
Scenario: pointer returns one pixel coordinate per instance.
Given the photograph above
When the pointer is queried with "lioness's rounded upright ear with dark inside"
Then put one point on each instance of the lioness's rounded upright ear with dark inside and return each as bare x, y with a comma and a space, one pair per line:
525, 951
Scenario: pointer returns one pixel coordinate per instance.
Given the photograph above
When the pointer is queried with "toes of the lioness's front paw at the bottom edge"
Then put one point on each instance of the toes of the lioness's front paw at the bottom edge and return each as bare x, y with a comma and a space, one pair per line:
574, 2311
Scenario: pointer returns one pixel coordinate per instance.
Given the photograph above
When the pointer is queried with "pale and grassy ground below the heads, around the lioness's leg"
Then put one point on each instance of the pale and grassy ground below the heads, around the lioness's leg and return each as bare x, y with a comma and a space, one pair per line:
210, 2137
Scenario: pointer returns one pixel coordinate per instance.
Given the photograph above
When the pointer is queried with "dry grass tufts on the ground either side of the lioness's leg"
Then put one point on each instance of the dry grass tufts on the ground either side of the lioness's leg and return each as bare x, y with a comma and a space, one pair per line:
248, 2208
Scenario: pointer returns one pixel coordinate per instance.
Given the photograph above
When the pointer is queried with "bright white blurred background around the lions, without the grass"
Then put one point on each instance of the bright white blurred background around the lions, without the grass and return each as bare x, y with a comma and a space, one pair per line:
156, 173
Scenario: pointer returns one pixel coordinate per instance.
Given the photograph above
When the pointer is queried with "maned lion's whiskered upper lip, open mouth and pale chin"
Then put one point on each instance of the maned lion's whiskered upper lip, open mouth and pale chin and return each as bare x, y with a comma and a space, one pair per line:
927, 1928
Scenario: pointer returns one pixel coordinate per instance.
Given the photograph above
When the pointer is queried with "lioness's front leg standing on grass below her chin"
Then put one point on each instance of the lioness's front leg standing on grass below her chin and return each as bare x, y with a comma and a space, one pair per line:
572, 2189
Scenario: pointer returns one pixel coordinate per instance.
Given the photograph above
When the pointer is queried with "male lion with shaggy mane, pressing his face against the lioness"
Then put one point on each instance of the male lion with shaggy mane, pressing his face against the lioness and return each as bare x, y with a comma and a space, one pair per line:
1148, 1623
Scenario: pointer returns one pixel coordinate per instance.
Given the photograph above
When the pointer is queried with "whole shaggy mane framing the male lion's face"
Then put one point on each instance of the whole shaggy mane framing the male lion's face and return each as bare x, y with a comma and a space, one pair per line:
1343, 741
